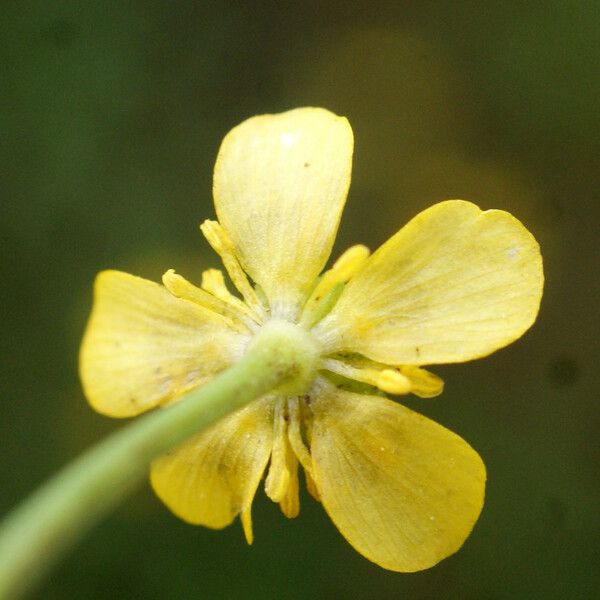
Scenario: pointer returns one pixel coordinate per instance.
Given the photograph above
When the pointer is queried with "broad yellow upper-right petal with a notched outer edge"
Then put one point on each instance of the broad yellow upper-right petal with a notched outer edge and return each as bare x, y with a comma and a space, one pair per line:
454, 284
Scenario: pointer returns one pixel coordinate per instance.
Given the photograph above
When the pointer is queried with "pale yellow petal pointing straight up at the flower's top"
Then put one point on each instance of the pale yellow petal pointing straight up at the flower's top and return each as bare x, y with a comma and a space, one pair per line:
280, 185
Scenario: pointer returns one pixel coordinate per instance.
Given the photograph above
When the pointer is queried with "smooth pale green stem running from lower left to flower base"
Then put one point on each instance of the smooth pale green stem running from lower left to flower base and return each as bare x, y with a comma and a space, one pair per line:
38, 532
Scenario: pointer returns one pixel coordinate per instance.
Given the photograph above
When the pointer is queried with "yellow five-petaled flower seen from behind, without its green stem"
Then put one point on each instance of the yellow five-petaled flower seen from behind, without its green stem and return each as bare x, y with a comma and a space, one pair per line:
454, 284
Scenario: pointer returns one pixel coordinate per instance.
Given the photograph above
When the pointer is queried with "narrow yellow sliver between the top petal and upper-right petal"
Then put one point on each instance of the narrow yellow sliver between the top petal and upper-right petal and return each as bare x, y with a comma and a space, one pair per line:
344, 268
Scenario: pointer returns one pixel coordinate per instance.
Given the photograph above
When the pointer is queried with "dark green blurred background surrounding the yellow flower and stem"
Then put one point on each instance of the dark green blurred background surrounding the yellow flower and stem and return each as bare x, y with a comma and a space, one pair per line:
111, 116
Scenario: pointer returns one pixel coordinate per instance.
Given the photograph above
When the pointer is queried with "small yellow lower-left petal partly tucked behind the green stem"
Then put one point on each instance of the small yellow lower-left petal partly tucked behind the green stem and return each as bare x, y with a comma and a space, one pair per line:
213, 477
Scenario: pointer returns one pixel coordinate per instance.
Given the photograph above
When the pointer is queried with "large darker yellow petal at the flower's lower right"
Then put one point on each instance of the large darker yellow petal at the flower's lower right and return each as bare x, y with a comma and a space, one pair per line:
403, 490
